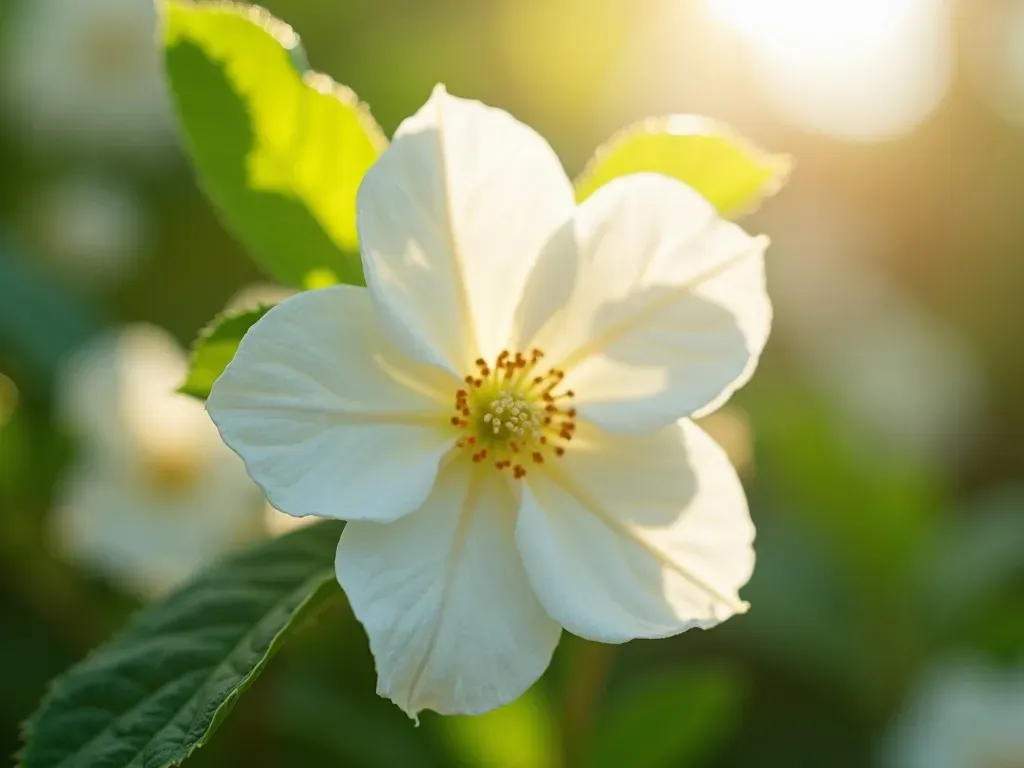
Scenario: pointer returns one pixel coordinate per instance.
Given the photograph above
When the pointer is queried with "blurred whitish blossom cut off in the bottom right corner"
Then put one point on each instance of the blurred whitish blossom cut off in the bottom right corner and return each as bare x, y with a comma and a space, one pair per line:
965, 715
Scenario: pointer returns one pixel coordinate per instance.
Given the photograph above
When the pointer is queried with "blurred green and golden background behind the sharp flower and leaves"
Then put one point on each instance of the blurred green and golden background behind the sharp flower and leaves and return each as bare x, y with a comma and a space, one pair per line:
882, 442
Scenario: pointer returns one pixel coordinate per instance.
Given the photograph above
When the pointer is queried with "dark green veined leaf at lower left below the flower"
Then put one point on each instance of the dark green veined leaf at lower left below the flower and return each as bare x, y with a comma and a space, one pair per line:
159, 690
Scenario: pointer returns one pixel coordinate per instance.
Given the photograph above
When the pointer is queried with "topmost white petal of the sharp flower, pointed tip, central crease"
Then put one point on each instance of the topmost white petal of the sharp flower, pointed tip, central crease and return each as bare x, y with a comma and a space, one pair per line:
452, 219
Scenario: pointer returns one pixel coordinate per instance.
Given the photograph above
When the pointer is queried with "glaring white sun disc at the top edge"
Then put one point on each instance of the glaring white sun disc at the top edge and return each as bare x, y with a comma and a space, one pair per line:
865, 70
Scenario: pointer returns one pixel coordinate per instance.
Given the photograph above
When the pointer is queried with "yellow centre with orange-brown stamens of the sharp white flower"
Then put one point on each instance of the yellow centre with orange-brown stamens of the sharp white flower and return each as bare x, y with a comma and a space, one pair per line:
514, 413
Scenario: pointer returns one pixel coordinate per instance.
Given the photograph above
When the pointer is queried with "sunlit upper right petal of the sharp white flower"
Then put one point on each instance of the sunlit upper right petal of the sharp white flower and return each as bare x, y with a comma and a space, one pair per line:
667, 314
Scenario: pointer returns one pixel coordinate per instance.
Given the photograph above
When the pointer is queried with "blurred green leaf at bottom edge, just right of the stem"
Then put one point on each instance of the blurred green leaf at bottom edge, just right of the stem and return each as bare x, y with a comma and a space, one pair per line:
673, 719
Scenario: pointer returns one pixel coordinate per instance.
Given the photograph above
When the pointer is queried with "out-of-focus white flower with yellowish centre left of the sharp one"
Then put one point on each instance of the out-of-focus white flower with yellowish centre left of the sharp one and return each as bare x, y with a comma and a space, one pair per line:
154, 494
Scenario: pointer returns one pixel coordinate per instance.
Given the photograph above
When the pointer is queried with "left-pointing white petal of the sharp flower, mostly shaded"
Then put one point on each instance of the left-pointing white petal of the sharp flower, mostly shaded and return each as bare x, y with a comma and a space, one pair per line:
330, 420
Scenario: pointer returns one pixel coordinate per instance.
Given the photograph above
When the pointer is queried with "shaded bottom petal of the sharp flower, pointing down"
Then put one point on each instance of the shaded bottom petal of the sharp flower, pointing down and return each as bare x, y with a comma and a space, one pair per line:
453, 622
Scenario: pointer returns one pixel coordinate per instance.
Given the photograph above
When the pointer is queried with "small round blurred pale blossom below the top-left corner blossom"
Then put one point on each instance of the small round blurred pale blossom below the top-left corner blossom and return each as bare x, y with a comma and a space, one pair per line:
90, 227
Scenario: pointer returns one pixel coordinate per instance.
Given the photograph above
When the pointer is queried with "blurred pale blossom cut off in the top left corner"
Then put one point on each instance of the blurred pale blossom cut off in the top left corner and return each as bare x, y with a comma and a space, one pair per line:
88, 73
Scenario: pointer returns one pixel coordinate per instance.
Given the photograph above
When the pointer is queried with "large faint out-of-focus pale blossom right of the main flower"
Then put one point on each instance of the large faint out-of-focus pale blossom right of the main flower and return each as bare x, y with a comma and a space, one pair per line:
903, 379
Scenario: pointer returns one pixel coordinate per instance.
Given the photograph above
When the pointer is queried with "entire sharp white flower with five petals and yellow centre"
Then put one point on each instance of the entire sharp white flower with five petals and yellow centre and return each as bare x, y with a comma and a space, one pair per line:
502, 414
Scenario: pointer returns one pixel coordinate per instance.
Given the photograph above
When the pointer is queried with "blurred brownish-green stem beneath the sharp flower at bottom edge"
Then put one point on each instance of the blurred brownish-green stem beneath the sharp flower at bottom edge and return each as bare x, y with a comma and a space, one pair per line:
589, 667
